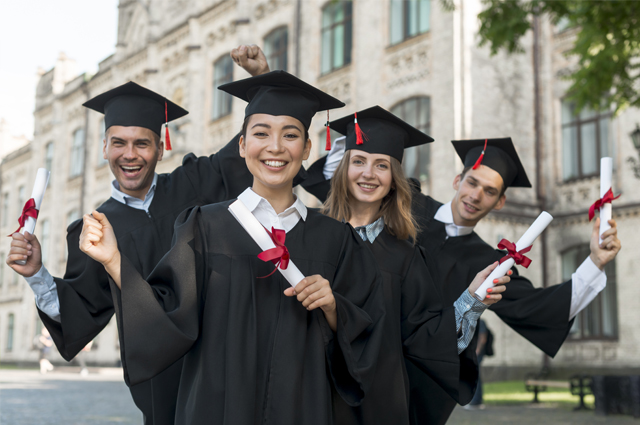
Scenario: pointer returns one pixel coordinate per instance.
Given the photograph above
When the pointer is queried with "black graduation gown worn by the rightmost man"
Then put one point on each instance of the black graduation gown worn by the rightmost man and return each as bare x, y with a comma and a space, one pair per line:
541, 315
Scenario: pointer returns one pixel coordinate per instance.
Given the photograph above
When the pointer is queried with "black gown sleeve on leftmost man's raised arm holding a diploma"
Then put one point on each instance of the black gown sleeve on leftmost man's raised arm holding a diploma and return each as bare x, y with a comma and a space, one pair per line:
86, 306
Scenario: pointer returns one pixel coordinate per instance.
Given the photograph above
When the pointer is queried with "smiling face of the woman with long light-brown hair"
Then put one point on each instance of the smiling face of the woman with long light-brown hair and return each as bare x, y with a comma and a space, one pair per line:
369, 175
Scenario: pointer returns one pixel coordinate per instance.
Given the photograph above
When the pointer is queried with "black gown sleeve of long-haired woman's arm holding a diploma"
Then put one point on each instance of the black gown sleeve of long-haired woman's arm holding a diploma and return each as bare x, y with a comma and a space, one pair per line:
429, 333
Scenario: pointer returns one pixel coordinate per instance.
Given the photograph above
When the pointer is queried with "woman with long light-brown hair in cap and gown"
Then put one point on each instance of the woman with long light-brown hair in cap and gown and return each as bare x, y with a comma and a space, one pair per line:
370, 191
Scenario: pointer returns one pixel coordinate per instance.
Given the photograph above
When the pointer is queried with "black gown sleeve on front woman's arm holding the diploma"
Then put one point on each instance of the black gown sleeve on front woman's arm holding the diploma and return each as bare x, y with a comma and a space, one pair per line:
352, 351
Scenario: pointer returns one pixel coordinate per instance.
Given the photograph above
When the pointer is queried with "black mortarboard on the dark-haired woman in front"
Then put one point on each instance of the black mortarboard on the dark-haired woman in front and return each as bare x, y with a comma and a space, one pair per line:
280, 93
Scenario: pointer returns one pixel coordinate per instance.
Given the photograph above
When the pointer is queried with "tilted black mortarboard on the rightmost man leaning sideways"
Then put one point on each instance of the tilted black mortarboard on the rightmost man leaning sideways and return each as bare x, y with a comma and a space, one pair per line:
500, 155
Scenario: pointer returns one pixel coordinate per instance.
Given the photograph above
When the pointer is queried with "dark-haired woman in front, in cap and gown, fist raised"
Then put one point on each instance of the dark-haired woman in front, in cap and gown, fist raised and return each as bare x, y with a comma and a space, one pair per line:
255, 349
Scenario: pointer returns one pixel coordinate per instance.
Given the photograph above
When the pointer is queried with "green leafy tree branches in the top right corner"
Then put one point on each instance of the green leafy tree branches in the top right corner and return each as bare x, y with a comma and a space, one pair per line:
606, 44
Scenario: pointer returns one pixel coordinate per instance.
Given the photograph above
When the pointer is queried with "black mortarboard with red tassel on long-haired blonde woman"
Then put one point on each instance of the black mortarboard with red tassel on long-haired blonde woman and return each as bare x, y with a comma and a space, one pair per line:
376, 130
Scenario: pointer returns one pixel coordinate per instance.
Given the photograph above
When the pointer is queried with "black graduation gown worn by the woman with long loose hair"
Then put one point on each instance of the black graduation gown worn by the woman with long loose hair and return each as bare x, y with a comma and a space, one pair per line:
417, 329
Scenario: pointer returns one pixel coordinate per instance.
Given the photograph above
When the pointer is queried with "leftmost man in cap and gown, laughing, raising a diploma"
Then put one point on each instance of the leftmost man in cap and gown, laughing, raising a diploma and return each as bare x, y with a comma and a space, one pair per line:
142, 209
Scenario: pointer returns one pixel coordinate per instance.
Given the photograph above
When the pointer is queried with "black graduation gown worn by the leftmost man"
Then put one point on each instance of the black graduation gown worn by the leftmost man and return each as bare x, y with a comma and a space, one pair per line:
86, 303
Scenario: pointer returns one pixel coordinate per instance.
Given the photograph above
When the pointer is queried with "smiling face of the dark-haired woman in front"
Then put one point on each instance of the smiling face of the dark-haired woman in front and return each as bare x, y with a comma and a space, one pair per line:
274, 148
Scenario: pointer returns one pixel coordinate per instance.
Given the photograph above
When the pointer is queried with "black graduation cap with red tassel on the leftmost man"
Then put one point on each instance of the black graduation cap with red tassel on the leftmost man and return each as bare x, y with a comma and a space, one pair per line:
131, 105
